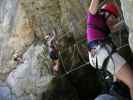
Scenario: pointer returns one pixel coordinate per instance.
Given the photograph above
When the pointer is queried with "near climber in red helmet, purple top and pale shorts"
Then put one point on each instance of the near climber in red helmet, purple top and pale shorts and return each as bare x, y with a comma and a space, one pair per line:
100, 22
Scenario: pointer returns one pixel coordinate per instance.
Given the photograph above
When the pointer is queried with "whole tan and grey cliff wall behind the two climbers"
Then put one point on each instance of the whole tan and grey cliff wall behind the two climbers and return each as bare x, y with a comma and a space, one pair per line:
23, 26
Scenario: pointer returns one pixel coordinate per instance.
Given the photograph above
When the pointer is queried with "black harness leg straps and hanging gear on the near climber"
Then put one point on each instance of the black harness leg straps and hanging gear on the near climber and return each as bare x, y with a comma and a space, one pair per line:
104, 76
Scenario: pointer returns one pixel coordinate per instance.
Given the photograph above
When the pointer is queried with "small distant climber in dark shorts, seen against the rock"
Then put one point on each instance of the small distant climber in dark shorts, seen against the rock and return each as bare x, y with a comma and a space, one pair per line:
53, 52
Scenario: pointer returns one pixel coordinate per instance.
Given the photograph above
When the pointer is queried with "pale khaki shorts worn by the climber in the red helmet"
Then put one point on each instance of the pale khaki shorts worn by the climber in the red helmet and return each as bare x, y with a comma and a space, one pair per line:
101, 53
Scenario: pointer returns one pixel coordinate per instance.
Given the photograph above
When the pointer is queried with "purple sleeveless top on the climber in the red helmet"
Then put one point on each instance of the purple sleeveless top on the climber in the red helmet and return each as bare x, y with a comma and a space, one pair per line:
96, 27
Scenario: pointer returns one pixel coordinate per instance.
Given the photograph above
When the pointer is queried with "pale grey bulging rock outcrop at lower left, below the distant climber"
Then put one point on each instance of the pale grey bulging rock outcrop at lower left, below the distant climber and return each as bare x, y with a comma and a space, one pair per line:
32, 76
